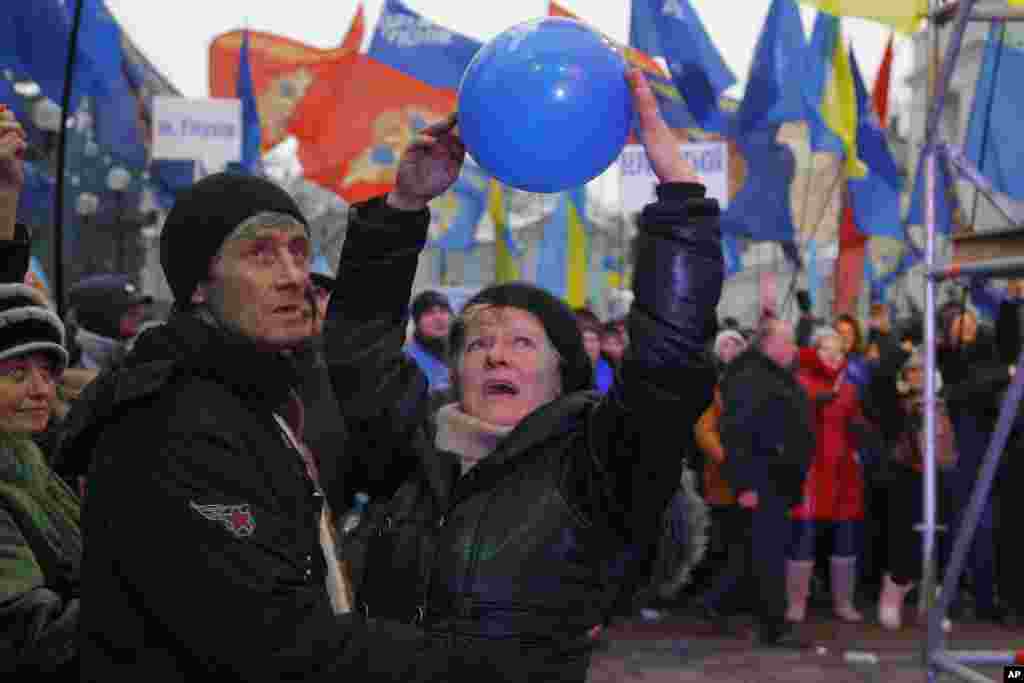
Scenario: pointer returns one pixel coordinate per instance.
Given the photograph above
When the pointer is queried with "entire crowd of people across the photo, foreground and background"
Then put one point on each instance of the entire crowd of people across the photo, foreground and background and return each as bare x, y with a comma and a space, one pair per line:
173, 491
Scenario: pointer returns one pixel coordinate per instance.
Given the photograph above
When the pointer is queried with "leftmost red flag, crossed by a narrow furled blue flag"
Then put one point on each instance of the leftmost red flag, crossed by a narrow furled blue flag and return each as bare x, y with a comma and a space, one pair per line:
284, 73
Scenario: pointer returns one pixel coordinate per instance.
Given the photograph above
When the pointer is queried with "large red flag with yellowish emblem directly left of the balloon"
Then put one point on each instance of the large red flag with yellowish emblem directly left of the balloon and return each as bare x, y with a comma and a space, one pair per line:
352, 138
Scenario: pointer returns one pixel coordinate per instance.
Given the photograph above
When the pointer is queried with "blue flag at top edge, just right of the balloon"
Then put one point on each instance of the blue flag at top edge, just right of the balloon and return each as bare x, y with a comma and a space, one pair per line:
671, 29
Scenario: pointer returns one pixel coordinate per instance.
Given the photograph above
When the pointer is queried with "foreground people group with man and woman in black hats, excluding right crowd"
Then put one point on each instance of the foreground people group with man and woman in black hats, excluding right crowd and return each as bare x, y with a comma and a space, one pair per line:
182, 519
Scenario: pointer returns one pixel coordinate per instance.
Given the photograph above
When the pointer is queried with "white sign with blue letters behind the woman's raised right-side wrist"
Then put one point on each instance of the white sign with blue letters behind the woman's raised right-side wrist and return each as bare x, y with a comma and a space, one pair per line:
638, 181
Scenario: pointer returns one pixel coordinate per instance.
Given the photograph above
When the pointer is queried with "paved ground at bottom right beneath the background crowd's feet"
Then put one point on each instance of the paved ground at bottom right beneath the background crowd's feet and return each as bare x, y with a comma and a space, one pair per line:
680, 650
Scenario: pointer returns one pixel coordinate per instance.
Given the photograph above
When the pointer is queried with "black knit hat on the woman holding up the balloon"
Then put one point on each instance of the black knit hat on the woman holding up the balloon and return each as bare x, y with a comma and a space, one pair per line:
559, 321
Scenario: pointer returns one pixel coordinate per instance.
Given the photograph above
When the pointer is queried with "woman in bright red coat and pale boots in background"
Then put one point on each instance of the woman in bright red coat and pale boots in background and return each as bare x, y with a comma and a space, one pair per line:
834, 491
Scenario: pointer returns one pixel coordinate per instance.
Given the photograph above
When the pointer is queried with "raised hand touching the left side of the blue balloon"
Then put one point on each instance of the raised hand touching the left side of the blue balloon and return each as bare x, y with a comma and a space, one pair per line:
429, 167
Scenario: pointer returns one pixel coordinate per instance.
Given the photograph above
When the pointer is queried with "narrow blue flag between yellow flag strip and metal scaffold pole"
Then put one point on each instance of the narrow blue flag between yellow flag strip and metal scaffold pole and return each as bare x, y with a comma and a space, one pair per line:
876, 197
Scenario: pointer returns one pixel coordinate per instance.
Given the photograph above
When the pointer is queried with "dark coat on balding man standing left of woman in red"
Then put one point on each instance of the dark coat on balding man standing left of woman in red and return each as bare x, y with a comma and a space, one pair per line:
766, 428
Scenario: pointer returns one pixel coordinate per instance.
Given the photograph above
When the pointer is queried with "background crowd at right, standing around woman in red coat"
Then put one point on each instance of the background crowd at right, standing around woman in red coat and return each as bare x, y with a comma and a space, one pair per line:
840, 418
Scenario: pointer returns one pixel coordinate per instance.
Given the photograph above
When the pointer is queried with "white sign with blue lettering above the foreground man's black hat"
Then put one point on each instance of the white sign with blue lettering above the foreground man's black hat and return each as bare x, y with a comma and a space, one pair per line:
203, 130
